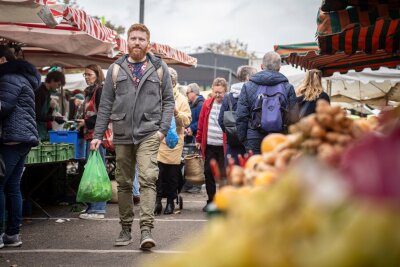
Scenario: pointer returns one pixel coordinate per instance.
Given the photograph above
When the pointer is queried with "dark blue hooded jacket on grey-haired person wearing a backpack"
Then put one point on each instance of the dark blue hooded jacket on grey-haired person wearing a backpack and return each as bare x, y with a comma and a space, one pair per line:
247, 99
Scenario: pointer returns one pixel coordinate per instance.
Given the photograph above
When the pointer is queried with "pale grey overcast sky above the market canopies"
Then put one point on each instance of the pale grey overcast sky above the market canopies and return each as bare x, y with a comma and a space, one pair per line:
185, 24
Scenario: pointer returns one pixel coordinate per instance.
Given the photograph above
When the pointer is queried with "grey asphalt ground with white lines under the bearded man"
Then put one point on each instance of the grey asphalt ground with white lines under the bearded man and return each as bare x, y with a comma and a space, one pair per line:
66, 240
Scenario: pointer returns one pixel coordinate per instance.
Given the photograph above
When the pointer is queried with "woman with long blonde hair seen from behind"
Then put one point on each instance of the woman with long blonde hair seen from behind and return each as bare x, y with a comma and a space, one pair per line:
309, 92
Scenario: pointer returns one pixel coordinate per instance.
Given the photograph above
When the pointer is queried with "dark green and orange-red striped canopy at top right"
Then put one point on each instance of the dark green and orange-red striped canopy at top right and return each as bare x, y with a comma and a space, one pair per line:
352, 35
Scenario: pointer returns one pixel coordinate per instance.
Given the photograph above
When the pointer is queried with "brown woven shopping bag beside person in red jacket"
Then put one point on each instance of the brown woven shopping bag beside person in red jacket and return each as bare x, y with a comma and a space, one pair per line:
194, 169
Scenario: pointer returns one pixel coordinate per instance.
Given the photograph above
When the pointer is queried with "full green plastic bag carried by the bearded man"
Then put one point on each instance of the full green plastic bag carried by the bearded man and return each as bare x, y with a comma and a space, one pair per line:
95, 186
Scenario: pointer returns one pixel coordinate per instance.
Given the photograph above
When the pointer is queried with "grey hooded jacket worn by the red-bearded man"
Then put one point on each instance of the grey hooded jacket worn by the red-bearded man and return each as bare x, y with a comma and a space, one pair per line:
136, 112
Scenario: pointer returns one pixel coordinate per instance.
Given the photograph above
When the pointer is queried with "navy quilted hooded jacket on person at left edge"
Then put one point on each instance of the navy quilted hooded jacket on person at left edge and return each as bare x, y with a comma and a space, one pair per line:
18, 80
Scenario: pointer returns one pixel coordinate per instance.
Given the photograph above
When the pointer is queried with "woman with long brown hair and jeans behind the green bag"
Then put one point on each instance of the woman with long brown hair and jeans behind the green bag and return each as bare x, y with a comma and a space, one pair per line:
94, 78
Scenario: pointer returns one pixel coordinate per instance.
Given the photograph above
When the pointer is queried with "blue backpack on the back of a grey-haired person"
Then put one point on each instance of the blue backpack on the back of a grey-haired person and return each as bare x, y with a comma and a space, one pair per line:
270, 111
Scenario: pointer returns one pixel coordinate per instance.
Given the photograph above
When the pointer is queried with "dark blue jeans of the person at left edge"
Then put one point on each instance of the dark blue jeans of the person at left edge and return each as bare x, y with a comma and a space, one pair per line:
10, 189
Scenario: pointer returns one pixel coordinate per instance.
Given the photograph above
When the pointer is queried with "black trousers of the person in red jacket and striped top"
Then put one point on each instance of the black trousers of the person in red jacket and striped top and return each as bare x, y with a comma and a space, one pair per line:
217, 153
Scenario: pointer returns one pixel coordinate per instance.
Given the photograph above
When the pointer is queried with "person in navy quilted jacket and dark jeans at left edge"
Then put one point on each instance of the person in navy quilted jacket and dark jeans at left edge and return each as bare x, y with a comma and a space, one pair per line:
18, 79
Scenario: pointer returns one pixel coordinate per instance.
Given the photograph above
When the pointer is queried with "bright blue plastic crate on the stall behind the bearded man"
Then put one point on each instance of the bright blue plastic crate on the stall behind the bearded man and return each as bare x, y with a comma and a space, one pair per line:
70, 137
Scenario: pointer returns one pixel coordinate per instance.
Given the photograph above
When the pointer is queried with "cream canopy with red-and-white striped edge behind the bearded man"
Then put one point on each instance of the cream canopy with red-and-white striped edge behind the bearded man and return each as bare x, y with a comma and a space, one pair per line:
69, 33
